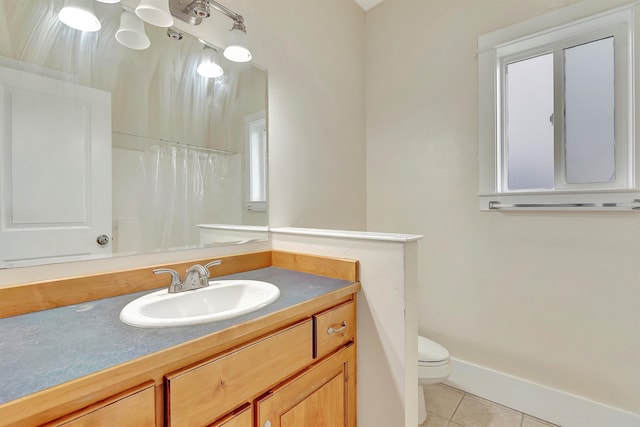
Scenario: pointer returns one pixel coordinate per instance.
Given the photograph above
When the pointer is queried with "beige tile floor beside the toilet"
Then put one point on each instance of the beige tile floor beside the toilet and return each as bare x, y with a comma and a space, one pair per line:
450, 407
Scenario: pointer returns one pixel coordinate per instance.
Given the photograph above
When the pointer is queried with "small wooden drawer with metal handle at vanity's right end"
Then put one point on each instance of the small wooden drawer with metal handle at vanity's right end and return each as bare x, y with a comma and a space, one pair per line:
333, 328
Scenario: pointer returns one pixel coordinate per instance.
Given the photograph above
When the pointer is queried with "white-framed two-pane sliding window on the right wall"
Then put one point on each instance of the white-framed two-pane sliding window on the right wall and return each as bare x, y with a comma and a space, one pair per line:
556, 112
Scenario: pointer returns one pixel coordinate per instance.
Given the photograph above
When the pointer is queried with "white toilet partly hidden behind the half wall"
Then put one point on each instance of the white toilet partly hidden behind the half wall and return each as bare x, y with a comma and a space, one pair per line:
433, 367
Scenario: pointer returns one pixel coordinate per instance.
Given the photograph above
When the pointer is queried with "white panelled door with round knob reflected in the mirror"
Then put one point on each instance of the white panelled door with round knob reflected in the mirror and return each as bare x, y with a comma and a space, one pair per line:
55, 160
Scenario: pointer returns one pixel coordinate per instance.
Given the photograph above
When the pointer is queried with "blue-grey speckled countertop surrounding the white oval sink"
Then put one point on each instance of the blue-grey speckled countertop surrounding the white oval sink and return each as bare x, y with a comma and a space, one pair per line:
43, 349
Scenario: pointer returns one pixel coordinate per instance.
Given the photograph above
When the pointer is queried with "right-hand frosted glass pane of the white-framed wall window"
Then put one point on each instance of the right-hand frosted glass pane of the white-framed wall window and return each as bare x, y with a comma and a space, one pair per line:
589, 112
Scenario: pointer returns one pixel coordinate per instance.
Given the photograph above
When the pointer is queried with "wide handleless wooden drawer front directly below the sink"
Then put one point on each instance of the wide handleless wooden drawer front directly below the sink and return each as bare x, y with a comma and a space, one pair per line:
198, 395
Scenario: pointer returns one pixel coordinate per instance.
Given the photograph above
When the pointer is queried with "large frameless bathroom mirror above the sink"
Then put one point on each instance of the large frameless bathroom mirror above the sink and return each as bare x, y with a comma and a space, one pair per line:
107, 150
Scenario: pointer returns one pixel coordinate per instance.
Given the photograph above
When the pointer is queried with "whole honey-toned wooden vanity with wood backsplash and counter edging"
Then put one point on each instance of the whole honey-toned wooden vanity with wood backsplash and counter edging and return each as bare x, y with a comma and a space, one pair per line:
284, 366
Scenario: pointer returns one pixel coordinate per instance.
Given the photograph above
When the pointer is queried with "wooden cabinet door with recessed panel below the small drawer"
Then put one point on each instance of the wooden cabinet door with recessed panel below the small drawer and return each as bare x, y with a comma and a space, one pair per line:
323, 396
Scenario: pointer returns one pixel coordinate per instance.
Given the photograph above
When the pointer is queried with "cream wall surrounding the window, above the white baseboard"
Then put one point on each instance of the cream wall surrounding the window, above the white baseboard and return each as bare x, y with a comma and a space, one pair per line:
553, 298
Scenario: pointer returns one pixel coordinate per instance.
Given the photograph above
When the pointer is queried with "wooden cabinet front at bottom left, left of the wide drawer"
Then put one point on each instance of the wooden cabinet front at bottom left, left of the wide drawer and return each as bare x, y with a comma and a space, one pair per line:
133, 408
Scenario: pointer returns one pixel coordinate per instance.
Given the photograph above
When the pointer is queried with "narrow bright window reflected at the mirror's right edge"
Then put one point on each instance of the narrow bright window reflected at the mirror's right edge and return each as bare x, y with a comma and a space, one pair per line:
256, 136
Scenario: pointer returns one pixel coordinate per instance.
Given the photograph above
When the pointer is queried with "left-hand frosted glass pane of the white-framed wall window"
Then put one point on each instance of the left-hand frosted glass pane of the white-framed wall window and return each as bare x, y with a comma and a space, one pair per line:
529, 123
